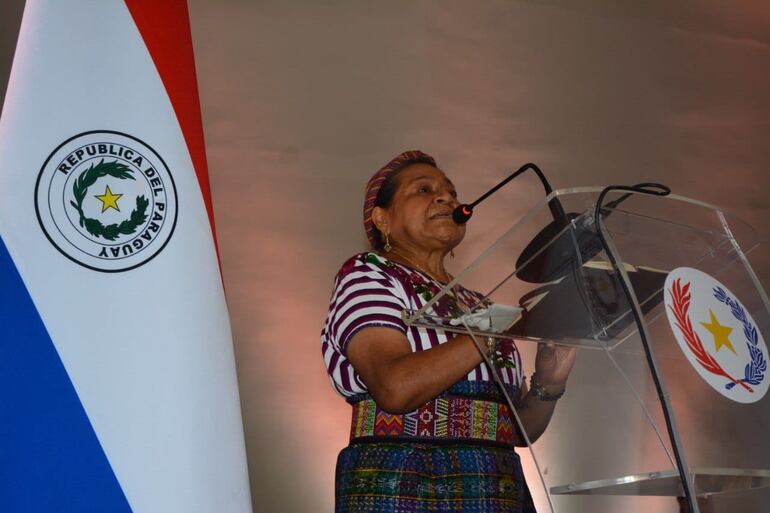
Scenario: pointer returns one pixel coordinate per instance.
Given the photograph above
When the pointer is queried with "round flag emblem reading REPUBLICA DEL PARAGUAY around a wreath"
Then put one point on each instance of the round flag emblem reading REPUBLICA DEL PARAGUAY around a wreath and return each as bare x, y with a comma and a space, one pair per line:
106, 200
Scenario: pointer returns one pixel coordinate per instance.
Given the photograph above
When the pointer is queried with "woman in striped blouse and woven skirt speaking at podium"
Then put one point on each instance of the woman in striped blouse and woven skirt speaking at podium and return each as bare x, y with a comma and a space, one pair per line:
430, 430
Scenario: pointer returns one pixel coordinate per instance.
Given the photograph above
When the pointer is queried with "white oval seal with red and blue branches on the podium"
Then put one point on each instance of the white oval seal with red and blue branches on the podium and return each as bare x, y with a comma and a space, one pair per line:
717, 335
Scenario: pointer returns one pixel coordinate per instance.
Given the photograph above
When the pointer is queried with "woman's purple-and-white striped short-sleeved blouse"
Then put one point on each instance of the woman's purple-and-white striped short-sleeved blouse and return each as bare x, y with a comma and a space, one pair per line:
370, 291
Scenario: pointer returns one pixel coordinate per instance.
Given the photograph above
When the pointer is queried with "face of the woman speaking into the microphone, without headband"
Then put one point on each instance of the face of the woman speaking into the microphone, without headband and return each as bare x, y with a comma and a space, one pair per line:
421, 211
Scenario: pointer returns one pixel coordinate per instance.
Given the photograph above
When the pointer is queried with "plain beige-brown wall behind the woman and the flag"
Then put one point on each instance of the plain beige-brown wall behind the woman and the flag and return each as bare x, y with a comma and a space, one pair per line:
303, 100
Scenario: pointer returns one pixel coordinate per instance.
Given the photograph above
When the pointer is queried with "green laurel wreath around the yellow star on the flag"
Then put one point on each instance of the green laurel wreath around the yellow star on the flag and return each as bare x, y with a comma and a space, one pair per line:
93, 226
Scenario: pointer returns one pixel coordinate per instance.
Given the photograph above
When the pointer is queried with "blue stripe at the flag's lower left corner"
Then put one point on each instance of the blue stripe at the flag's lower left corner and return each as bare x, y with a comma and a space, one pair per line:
50, 458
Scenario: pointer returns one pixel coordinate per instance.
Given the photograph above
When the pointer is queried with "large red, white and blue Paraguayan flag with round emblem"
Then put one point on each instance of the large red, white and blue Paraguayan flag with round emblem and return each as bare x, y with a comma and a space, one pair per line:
117, 377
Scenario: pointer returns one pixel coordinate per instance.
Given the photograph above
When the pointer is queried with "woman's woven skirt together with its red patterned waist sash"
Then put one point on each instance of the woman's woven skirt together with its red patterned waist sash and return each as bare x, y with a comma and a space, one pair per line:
461, 461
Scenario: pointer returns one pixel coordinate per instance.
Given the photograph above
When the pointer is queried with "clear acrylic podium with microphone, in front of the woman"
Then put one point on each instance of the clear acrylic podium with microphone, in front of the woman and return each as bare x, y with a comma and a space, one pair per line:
609, 446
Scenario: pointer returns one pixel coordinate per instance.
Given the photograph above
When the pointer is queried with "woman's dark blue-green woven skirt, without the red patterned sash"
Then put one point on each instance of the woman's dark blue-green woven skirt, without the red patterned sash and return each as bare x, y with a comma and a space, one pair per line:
389, 474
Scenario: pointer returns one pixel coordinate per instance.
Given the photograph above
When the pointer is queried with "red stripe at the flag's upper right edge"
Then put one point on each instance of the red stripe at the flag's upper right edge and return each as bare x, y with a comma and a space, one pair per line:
165, 29
